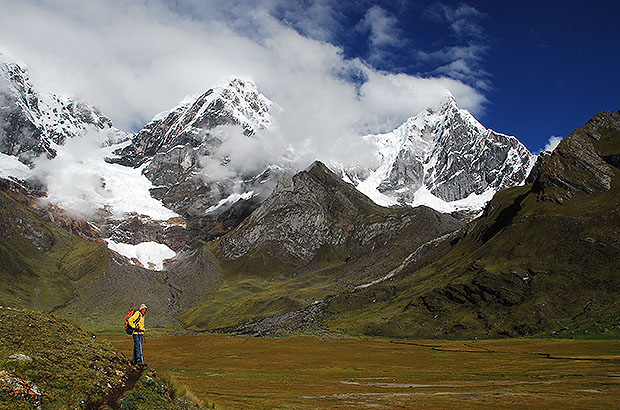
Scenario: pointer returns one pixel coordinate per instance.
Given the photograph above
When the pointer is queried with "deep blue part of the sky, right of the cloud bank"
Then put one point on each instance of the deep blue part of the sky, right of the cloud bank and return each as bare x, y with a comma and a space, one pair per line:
544, 67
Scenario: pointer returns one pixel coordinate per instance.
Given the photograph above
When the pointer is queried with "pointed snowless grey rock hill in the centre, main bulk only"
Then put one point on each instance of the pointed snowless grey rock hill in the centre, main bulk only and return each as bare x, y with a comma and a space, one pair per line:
305, 212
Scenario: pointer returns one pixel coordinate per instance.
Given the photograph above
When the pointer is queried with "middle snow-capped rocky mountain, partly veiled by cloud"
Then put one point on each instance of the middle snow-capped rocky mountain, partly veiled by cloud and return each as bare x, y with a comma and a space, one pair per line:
171, 146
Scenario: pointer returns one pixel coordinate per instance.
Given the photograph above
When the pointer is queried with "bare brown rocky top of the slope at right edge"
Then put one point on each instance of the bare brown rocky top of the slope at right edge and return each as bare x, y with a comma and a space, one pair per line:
583, 161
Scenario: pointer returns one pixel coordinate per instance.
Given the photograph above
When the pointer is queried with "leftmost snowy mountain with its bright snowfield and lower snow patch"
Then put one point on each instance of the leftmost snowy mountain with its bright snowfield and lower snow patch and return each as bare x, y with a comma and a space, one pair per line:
75, 139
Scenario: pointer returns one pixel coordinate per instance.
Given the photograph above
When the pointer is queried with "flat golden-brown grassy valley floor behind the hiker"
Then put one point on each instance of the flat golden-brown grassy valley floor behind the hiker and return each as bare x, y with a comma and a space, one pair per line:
347, 373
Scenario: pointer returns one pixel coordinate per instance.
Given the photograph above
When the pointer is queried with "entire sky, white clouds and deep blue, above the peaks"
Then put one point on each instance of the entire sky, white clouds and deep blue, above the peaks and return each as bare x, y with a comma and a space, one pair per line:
533, 70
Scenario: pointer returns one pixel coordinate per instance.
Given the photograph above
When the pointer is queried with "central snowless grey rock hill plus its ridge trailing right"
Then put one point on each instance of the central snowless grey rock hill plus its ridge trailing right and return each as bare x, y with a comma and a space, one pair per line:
313, 209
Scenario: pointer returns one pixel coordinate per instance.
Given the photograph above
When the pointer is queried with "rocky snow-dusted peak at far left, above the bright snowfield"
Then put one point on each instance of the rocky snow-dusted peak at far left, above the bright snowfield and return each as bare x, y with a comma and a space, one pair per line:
31, 123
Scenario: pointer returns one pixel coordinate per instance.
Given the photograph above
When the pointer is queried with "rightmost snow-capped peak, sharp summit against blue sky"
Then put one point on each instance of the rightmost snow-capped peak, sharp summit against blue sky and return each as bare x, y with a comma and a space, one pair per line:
443, 158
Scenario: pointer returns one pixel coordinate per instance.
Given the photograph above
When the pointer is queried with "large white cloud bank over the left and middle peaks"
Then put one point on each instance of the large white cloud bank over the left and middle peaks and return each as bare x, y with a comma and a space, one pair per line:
135, 59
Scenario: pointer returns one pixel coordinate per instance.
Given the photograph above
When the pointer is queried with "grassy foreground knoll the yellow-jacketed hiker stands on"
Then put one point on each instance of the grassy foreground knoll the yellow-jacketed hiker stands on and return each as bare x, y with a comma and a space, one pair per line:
59, 366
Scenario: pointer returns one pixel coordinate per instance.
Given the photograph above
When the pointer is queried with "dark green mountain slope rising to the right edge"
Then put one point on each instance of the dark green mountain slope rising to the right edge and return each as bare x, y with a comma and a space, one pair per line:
544, 259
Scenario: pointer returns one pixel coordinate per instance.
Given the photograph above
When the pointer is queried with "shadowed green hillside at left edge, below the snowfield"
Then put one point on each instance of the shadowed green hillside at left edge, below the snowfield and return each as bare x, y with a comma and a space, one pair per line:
40, 263
